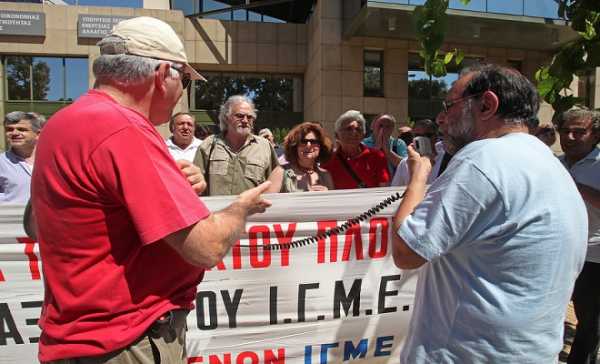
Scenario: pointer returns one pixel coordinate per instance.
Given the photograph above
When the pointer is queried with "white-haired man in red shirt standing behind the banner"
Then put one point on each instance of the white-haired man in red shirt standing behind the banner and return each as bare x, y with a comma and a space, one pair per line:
354, 165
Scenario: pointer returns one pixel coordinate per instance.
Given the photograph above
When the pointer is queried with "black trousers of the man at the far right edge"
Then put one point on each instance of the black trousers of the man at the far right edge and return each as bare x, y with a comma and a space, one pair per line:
586, 301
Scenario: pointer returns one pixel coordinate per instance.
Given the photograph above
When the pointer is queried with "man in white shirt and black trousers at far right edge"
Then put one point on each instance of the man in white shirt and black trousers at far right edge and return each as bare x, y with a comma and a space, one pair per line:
579, 131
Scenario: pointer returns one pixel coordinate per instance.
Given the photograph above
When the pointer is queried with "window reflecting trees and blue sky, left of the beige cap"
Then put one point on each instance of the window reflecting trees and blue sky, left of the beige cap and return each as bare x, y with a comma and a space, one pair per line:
45, 78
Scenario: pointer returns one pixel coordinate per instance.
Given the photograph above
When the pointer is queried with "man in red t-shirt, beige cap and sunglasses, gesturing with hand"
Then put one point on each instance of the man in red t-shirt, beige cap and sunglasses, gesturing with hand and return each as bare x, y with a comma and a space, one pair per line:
123, 236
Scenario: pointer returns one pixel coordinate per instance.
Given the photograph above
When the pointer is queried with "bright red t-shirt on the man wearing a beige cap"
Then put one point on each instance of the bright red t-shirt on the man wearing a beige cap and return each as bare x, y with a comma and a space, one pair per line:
105, 192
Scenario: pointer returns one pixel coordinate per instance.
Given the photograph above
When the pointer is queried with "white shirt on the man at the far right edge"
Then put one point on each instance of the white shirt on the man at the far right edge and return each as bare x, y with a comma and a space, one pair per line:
587, 172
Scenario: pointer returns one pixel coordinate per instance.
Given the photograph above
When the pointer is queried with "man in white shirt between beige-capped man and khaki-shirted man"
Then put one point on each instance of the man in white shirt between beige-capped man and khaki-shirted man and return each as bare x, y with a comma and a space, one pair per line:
183, 144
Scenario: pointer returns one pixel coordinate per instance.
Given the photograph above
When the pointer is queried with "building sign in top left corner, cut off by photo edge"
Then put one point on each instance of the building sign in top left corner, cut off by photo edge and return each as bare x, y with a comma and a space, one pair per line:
22, 23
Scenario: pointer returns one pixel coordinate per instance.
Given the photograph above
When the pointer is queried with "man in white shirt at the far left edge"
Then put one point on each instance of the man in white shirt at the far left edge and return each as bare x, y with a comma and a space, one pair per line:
16, 164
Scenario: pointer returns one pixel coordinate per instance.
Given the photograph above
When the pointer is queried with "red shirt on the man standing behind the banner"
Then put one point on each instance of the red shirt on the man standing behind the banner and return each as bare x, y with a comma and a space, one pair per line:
370, 166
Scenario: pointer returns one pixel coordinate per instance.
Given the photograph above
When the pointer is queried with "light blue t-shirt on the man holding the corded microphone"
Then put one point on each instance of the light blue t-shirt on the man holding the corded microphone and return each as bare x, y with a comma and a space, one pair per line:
504, 231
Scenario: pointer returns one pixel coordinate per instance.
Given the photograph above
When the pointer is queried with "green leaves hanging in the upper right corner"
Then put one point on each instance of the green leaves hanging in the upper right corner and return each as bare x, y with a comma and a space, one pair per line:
575, 58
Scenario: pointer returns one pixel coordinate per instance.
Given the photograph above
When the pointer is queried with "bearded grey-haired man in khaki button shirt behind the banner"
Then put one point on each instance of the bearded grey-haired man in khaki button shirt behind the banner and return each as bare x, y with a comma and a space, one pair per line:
236, 160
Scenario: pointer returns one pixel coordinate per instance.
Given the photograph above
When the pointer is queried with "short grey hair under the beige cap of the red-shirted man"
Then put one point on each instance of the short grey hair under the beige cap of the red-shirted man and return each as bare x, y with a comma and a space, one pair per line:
123, 68
